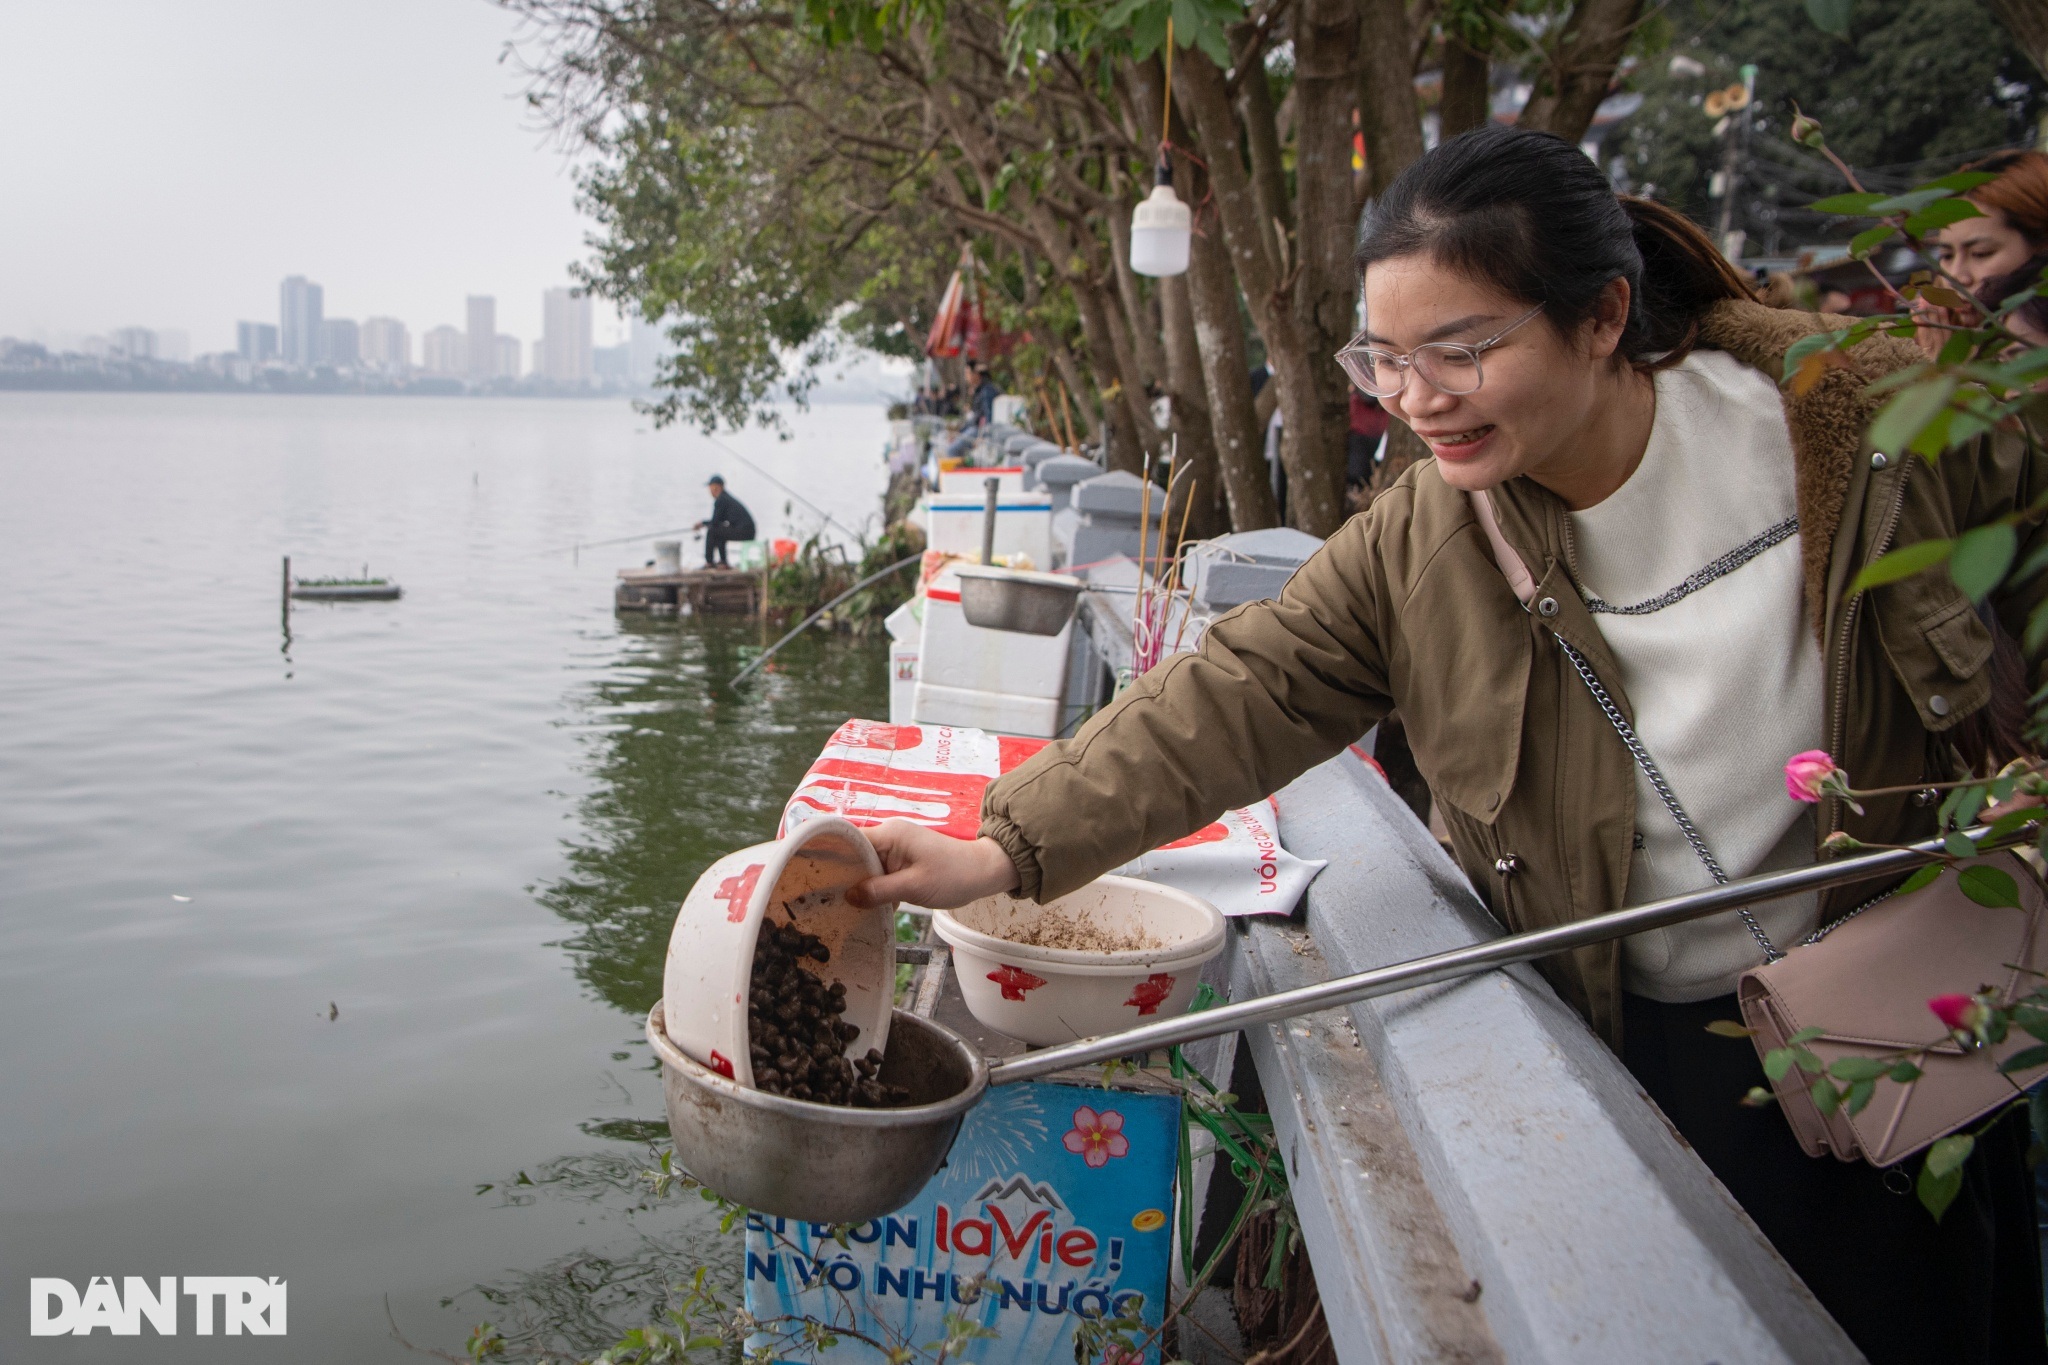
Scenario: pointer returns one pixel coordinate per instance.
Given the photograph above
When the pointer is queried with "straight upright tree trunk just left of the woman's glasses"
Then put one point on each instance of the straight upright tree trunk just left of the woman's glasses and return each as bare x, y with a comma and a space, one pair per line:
1326, 285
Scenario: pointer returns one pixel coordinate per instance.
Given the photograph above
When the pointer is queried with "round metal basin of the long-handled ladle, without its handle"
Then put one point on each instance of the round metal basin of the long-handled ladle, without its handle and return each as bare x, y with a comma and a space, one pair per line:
822, 1163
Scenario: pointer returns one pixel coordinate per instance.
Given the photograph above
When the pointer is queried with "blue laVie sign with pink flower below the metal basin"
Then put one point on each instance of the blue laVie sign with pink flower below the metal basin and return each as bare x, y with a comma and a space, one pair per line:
1052, 1210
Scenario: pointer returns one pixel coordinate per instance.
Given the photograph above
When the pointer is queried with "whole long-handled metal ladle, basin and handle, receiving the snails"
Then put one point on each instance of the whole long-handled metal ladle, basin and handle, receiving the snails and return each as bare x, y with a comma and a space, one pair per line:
830, 1165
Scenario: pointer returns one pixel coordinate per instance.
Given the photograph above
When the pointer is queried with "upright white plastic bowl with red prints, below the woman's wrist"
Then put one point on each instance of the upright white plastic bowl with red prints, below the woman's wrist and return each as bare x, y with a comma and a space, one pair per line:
1056, 996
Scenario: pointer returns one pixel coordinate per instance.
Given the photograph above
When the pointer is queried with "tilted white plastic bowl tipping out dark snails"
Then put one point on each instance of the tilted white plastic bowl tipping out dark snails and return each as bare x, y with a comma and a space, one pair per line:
712, 949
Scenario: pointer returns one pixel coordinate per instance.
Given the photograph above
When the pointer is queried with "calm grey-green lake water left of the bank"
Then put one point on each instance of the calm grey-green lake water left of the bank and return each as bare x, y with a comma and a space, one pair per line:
306, 938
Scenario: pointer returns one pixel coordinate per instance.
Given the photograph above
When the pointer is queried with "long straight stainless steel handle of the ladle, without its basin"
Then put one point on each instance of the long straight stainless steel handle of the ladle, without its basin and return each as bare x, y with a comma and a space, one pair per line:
1467, 961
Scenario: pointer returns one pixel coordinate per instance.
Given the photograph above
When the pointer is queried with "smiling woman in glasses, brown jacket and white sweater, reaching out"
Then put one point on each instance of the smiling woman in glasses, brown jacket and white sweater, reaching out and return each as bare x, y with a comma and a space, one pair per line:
1619, 484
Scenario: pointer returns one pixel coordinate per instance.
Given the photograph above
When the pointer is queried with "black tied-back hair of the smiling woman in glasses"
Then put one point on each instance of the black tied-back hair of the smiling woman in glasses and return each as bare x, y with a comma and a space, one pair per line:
1535, 218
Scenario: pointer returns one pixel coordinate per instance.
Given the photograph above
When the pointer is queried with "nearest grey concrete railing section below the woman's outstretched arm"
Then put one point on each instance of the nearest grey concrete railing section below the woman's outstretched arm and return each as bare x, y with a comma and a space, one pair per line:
1478, 1178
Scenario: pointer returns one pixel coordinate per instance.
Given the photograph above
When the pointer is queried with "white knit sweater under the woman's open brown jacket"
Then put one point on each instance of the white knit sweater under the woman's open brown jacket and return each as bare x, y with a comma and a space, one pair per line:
1725, 682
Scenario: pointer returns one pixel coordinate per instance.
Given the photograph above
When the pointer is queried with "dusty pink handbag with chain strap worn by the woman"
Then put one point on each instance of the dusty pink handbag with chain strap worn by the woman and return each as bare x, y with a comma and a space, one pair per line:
1869, 989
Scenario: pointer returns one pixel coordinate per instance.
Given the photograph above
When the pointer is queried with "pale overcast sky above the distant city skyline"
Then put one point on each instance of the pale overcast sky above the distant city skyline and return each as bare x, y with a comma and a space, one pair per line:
167, 163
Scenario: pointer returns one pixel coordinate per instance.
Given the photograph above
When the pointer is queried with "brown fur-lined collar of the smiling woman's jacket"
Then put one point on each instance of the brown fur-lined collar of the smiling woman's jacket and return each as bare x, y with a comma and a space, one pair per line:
1828, 423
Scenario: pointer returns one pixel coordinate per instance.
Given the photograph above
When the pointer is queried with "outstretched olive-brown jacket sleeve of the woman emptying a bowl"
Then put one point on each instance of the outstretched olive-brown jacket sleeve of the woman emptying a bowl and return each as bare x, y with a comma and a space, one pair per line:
1277, 689
